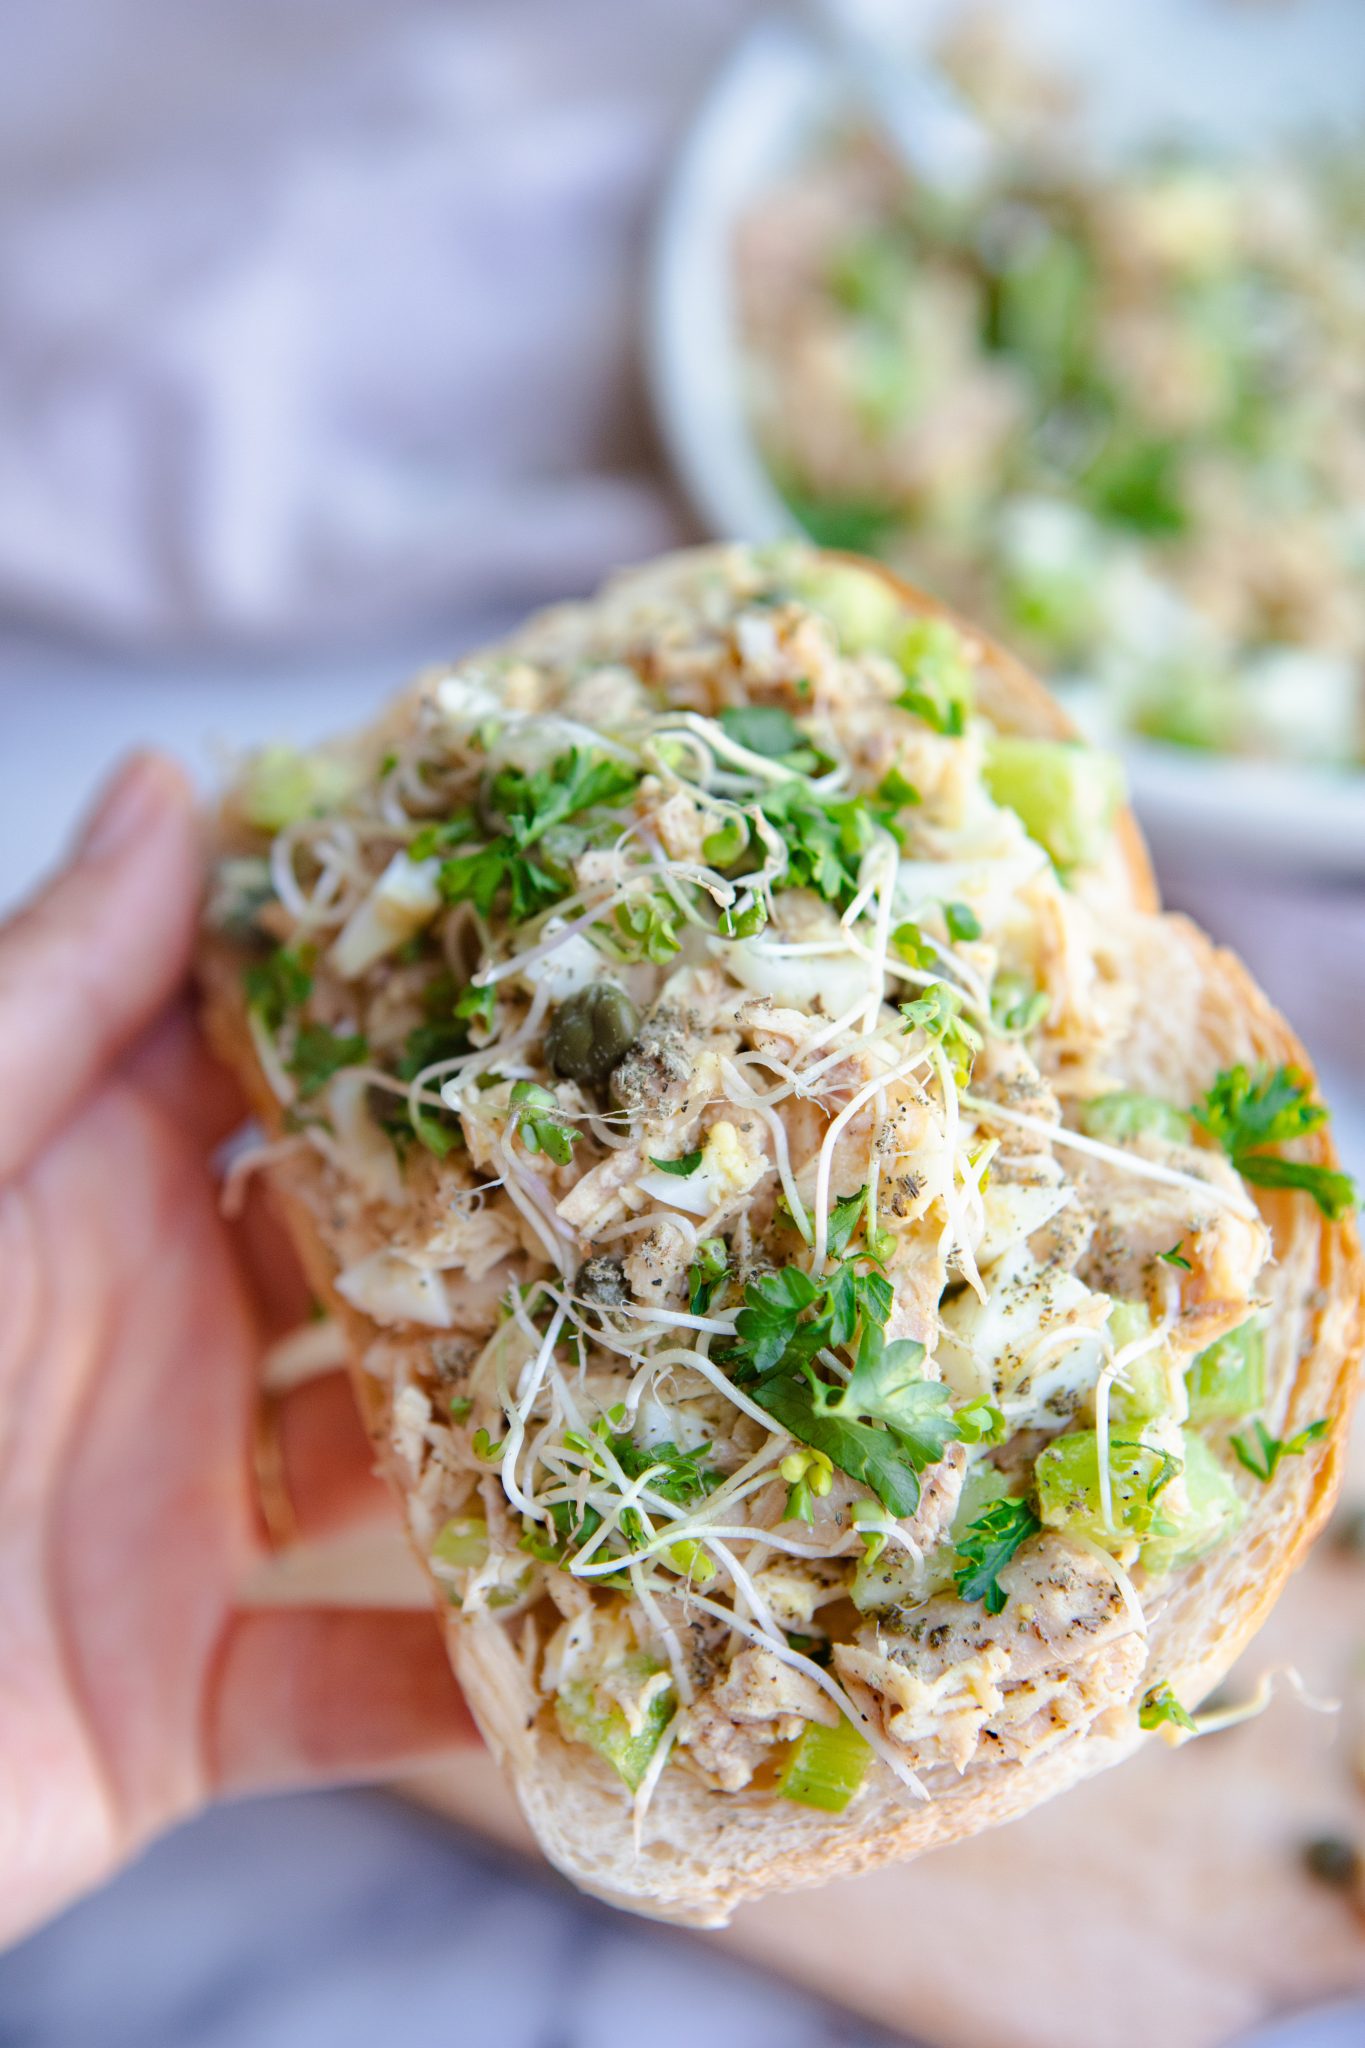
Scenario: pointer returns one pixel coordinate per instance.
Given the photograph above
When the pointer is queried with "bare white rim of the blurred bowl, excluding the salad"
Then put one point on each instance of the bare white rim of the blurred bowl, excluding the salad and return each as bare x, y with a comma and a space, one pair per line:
1227, 71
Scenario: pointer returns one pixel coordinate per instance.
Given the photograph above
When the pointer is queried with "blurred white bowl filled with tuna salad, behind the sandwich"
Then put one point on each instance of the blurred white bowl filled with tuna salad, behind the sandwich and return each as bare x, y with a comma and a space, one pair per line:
1110, 400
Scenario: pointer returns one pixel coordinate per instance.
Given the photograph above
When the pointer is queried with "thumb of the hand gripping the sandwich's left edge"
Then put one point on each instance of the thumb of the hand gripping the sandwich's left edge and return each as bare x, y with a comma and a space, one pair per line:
91, 962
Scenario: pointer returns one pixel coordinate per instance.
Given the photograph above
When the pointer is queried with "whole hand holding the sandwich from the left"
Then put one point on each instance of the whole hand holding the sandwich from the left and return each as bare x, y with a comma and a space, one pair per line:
132, 1328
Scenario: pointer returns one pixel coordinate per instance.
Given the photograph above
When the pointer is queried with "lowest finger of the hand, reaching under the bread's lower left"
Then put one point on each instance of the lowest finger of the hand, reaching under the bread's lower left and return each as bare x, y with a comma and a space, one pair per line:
320, 1697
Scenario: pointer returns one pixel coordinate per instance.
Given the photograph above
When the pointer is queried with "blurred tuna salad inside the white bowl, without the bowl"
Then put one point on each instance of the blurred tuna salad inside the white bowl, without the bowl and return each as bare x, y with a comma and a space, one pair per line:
1114, 413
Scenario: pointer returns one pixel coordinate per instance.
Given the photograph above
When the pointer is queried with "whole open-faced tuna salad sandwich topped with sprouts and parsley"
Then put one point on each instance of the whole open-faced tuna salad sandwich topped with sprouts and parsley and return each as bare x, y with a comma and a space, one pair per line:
861, 1310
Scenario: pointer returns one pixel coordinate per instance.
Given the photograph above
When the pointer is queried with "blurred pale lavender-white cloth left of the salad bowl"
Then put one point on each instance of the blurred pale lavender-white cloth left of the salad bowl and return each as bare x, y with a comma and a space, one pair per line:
322, 314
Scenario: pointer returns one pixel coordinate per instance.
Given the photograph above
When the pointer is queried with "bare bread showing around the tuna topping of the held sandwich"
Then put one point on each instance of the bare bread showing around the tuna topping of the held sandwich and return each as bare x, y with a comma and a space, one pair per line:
703, 1850
